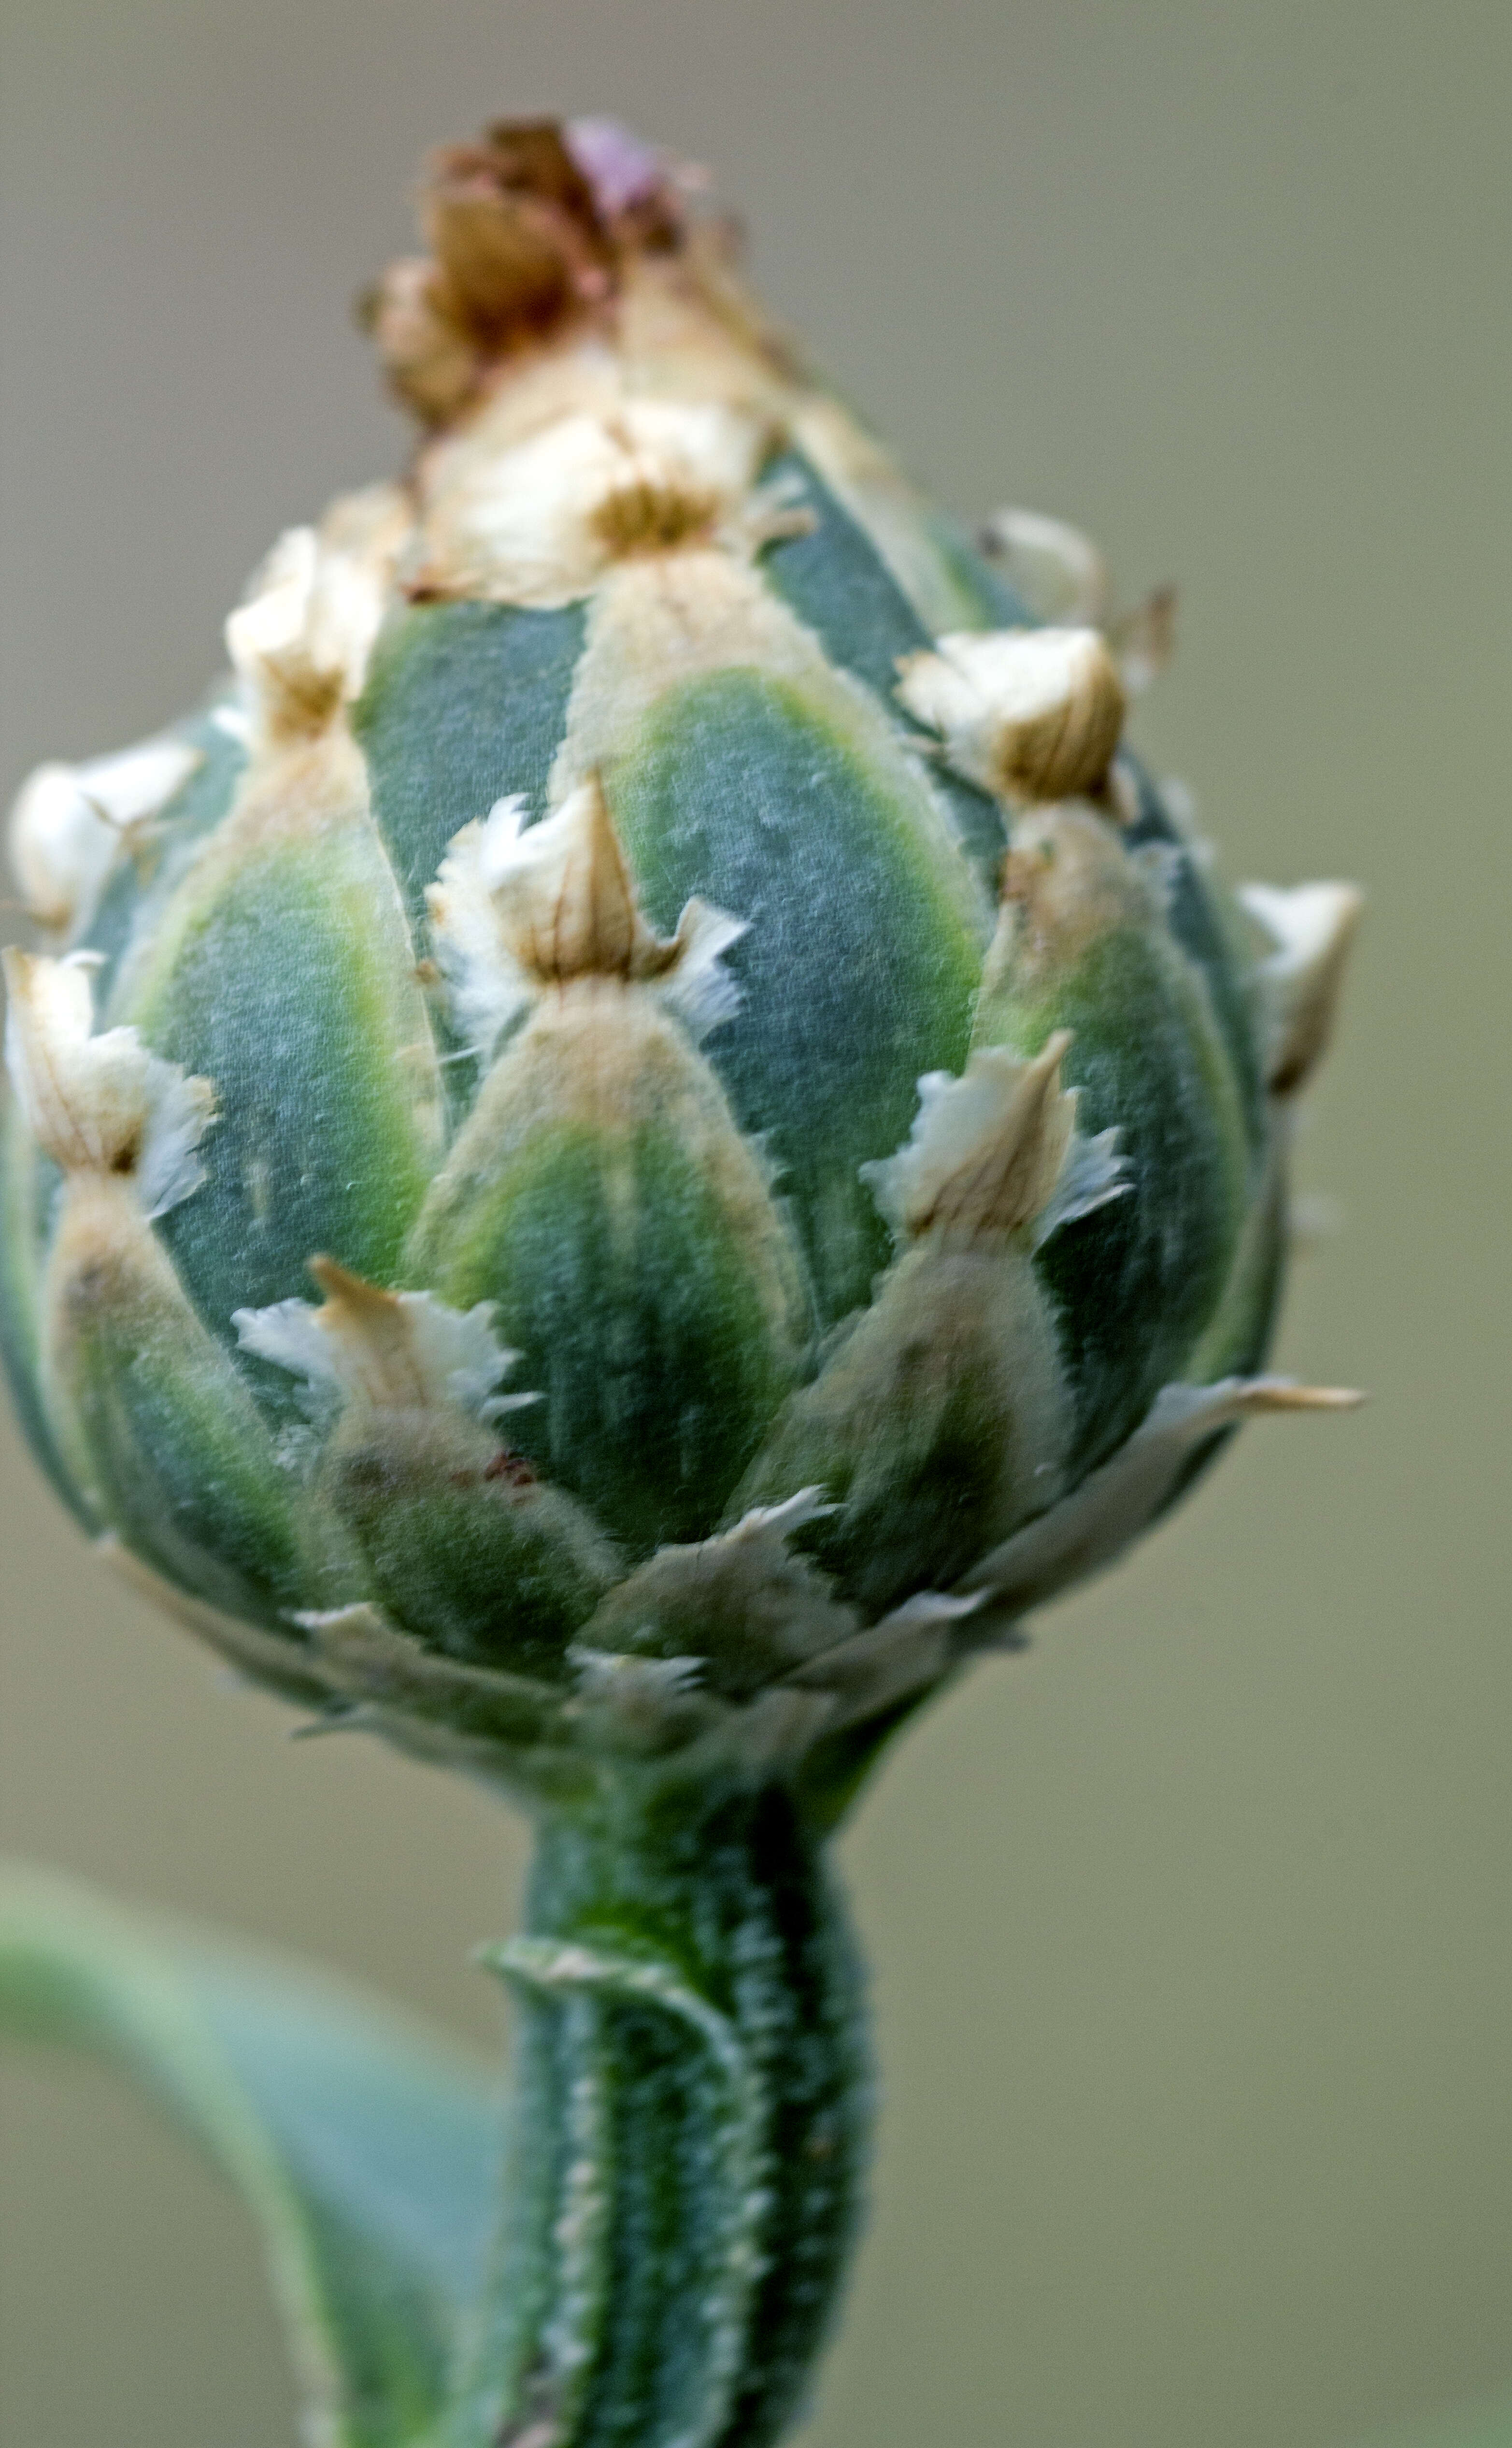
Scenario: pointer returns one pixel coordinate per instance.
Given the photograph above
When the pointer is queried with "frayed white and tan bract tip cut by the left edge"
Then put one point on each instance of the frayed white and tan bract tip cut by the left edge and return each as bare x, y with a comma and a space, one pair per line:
99, 1103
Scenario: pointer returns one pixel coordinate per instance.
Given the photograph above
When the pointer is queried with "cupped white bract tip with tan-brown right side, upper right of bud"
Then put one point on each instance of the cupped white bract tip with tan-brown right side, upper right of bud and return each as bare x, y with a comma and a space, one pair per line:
1024, 714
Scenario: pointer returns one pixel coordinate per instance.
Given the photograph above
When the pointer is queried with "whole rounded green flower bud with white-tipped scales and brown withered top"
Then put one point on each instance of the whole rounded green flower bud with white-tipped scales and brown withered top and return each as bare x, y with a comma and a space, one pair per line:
647, 1130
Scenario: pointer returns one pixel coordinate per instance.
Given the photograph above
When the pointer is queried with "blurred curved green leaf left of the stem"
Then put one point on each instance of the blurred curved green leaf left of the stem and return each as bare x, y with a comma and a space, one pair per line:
366, 2148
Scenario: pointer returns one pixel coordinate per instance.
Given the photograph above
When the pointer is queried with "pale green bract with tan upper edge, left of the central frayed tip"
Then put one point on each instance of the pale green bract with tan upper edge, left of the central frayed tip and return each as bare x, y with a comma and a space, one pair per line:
285, 973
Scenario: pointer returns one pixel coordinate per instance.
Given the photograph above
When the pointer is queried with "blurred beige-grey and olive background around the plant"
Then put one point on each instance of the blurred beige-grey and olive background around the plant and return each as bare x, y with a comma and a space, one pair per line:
1190, 1928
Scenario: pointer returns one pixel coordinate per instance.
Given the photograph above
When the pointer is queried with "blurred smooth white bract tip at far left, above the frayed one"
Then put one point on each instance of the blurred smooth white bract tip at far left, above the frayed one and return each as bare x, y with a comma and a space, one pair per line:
72, 824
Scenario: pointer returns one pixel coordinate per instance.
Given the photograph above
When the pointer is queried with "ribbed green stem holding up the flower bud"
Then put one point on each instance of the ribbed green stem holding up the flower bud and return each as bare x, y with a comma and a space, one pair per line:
691, 2126
